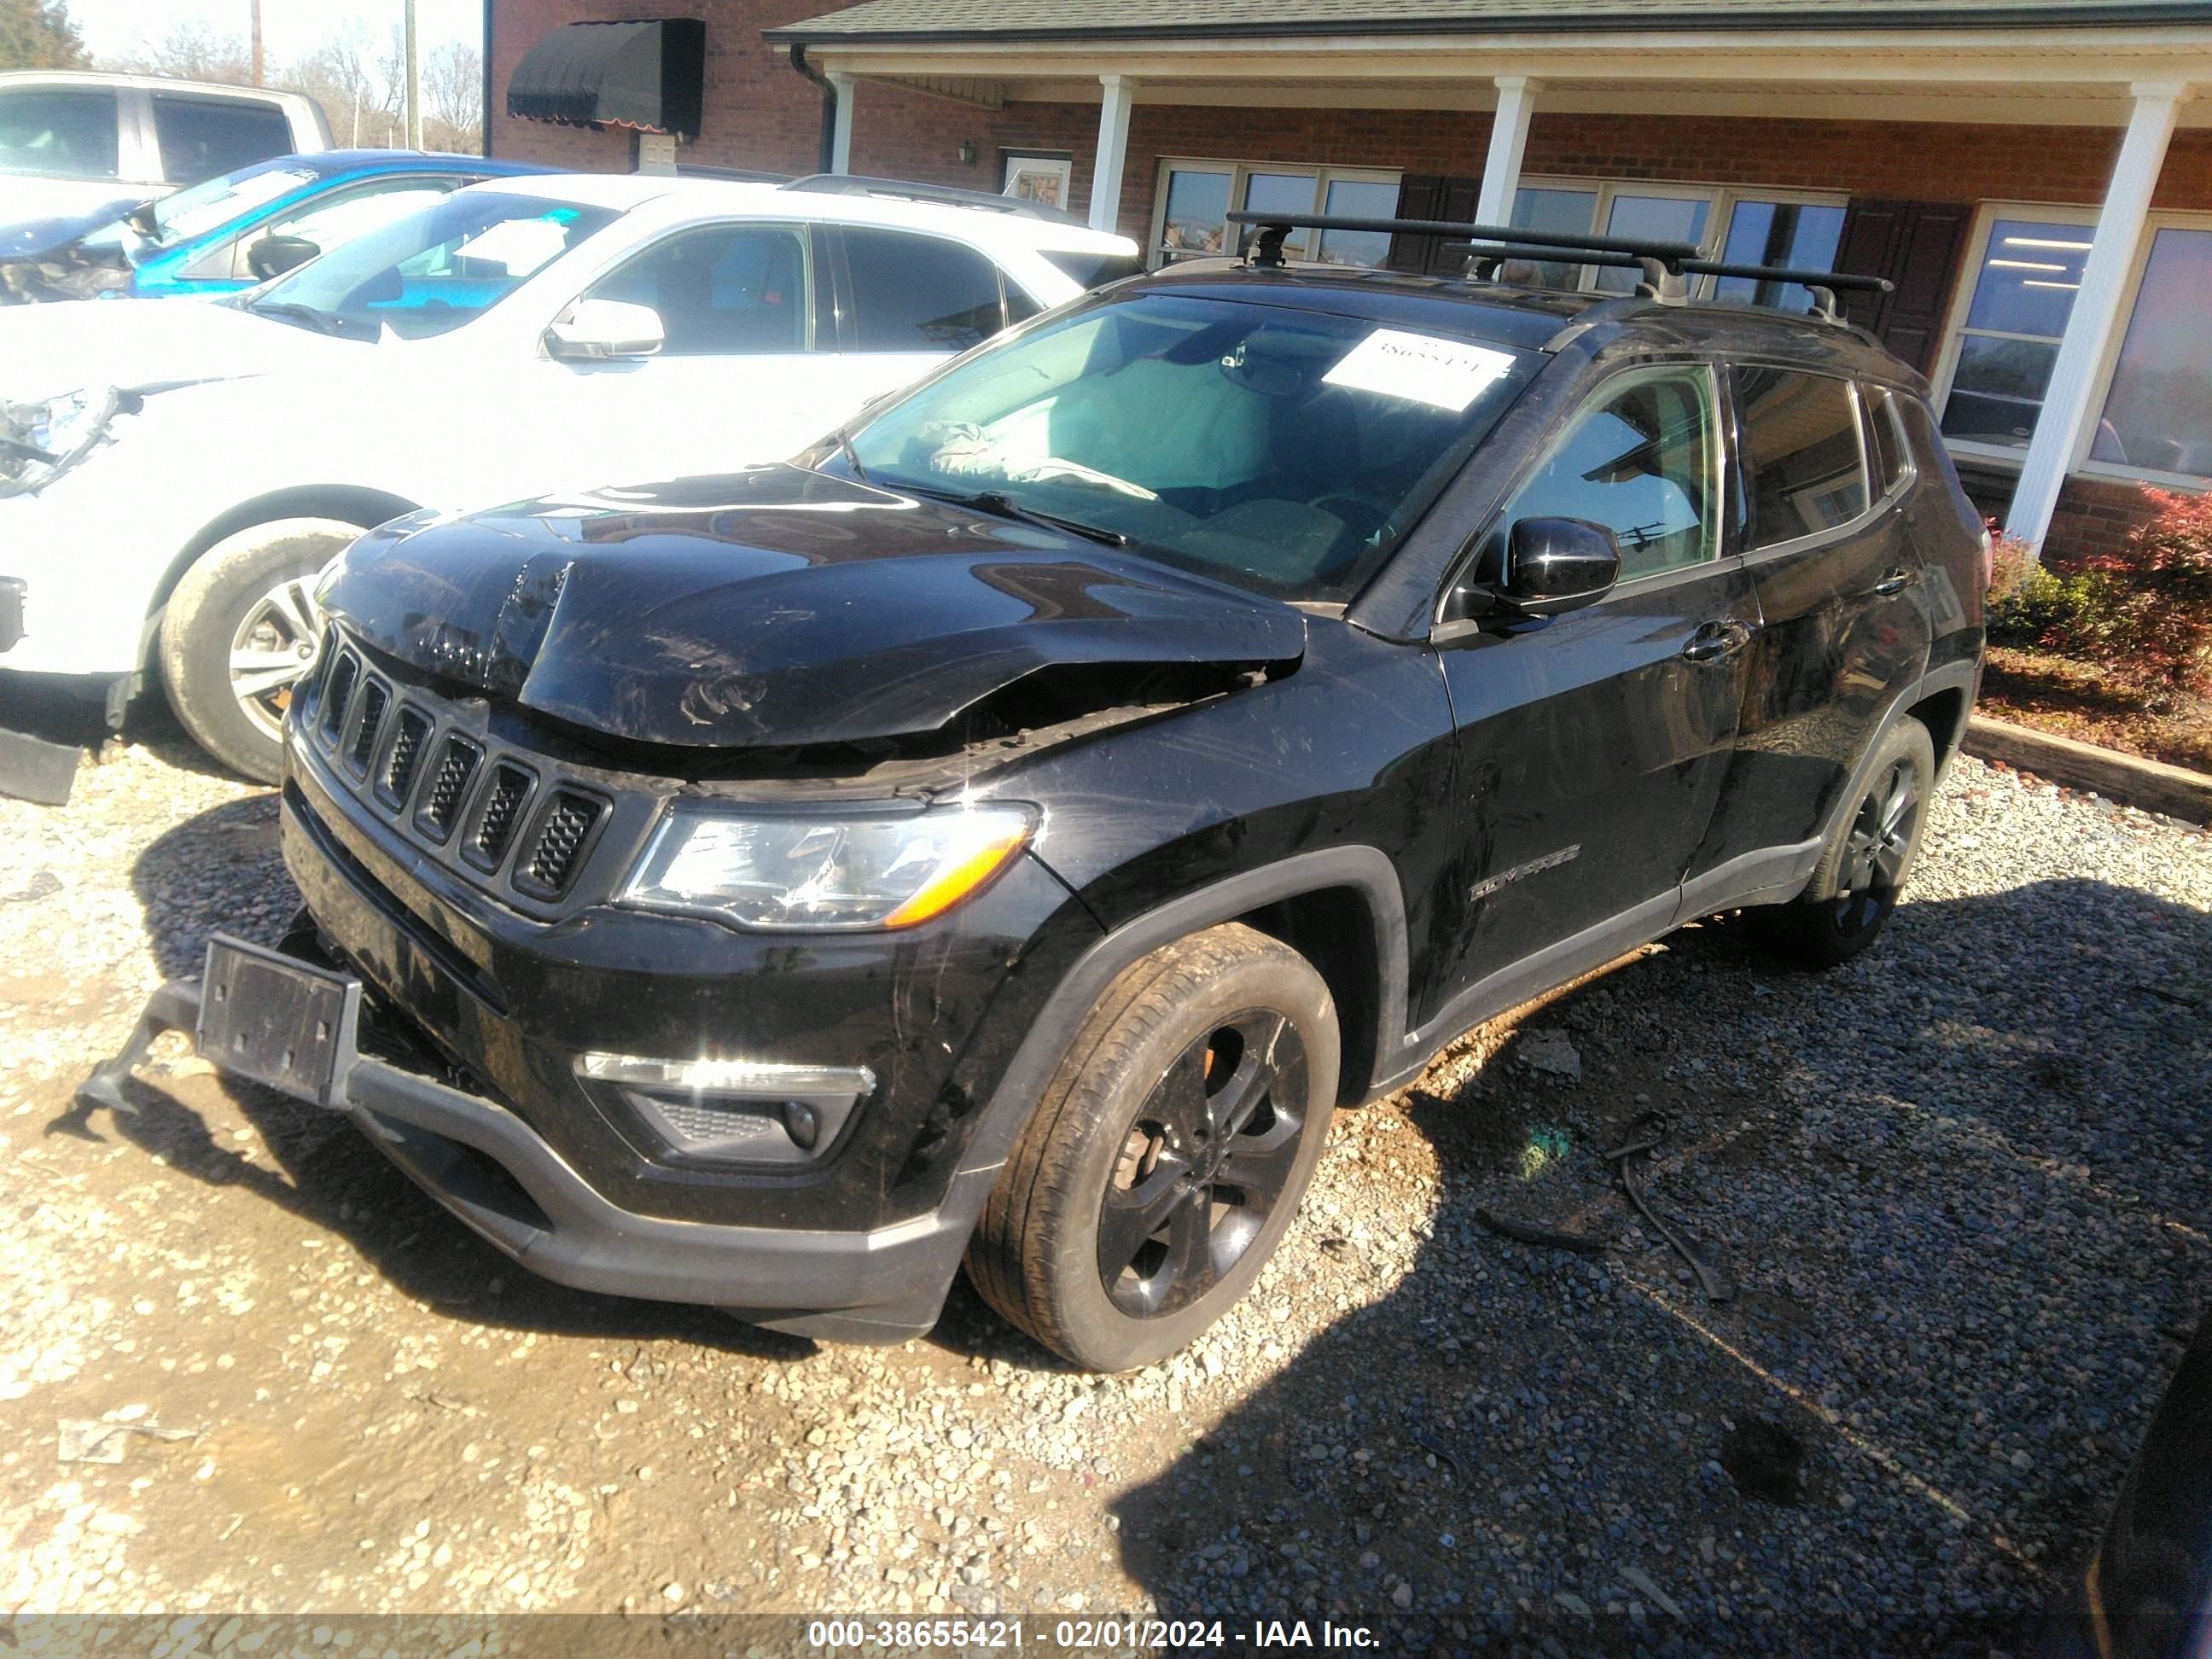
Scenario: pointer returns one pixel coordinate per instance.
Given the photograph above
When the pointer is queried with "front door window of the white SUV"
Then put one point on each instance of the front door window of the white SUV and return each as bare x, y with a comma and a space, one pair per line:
733, 291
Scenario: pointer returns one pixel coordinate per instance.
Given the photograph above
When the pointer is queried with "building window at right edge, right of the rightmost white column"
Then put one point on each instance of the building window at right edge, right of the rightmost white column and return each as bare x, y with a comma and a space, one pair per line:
2158, 417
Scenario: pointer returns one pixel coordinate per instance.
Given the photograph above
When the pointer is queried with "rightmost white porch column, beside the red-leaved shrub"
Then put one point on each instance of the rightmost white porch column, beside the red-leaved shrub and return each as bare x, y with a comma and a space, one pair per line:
2096, 311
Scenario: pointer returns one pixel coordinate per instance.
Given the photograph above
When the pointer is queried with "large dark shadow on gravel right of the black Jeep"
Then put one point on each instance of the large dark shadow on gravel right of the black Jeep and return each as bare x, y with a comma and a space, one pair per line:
1965, 1213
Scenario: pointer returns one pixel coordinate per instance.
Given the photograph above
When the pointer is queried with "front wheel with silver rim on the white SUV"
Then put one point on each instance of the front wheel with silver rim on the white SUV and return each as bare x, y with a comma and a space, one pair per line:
251, 596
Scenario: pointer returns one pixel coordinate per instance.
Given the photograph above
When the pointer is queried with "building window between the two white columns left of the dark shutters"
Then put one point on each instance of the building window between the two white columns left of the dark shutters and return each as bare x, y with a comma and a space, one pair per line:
1196, 198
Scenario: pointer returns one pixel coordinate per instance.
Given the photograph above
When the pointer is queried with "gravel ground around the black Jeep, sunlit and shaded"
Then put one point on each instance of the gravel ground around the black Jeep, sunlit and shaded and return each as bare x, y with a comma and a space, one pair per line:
1961, 1187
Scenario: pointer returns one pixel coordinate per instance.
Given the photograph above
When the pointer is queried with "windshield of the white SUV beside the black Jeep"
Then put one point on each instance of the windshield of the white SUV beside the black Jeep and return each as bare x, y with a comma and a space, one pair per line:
432, 271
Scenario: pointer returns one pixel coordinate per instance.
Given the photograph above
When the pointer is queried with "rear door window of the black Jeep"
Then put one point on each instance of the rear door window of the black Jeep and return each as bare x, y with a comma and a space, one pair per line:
1804, 457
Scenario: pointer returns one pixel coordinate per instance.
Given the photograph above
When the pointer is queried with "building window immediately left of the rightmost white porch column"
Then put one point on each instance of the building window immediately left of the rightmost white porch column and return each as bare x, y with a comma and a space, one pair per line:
2010, 340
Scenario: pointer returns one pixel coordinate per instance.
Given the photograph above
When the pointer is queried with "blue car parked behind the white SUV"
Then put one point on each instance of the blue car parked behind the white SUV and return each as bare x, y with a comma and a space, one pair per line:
233, 231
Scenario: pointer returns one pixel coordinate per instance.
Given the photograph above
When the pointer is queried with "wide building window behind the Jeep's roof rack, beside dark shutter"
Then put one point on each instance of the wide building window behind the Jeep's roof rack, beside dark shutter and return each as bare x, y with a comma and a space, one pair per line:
1755, 229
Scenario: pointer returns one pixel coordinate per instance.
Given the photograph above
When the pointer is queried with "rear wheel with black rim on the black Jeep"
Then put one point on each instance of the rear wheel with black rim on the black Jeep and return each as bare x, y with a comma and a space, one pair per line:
1866, 864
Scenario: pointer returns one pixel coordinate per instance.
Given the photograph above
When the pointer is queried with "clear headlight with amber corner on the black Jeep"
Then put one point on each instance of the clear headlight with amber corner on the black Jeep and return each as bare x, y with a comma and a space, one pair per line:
826, 870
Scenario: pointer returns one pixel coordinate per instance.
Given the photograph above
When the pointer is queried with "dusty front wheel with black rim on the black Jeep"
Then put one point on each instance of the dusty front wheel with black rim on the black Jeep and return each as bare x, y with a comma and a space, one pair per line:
1222, 1032
